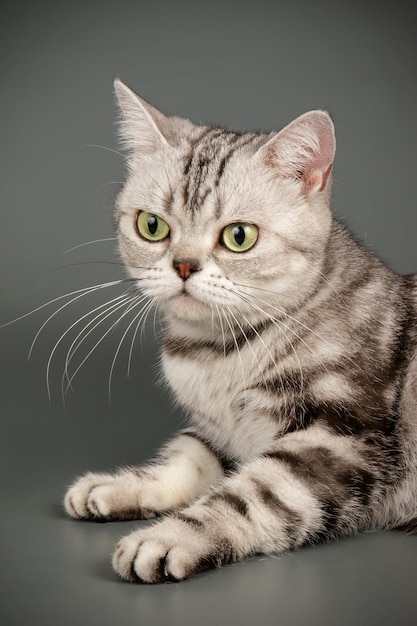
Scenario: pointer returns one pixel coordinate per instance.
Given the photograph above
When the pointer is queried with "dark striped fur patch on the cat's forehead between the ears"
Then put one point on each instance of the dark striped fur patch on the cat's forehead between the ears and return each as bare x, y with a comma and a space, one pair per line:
205, 163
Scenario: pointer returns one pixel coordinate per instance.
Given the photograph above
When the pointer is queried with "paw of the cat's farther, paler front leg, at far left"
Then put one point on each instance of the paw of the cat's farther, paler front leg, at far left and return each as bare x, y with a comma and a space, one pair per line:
103, 496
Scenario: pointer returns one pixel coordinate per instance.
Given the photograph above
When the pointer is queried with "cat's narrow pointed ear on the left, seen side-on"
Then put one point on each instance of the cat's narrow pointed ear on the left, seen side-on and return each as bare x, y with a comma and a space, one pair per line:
141, 125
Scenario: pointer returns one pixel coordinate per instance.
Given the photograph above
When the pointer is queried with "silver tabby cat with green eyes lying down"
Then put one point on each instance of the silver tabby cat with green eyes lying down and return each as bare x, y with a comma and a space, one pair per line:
291, 347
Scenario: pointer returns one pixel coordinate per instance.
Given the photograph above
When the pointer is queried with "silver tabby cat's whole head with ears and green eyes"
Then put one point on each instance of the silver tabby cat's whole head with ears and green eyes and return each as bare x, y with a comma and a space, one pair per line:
214, 221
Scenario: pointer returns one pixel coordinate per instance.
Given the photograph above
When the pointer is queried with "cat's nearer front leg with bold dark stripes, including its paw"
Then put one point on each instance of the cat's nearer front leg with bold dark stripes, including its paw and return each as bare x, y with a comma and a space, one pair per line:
293, 495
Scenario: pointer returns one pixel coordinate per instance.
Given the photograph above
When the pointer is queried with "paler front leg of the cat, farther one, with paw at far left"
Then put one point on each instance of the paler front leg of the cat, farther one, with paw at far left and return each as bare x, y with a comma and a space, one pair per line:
184, 470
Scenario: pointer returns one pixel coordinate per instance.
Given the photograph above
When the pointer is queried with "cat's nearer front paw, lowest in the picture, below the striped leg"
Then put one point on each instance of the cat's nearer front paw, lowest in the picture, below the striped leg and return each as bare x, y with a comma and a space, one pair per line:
170, 550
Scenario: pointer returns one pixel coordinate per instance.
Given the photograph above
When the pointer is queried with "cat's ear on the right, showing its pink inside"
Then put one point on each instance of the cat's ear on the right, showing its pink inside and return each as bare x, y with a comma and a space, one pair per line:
304, 150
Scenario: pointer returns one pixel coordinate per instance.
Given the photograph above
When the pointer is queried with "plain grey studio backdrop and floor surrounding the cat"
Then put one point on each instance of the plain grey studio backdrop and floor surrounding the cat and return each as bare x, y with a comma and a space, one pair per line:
245, 65
